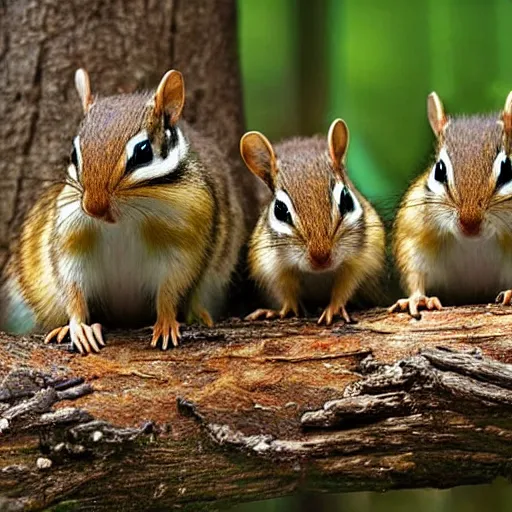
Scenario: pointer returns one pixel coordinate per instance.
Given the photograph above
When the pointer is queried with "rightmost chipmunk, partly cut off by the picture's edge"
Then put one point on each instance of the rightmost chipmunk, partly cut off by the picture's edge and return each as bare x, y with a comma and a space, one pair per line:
453, 230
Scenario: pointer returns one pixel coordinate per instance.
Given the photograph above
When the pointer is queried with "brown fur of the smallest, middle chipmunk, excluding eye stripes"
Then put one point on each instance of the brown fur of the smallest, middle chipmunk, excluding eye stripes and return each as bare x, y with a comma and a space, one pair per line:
307, 173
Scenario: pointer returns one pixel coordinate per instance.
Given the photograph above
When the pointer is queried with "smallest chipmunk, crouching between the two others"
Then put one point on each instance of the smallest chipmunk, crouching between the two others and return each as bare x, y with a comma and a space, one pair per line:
319, 239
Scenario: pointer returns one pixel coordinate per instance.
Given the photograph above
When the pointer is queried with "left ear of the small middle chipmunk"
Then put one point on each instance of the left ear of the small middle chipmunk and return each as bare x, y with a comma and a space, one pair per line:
259, 157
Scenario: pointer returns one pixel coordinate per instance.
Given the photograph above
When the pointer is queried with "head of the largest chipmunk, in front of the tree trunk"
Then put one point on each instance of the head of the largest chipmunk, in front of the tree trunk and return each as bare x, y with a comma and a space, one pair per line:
126, 144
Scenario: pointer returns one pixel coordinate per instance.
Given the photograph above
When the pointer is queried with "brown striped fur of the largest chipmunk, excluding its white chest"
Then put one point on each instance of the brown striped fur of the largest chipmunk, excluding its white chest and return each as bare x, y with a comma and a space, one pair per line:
206, 195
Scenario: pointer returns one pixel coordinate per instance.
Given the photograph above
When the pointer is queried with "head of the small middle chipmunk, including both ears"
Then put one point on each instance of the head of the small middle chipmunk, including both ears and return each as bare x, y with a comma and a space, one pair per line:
315, 216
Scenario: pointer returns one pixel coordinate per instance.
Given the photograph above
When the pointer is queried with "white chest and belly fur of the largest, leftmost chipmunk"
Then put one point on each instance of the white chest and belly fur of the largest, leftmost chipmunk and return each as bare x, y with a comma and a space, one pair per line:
119, 274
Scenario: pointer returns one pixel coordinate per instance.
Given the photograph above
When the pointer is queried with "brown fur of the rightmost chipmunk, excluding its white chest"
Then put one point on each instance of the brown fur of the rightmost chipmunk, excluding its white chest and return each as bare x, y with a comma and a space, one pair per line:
472, 143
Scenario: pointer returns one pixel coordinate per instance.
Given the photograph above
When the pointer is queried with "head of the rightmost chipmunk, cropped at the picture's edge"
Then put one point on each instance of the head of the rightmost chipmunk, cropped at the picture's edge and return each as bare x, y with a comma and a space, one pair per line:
469, 188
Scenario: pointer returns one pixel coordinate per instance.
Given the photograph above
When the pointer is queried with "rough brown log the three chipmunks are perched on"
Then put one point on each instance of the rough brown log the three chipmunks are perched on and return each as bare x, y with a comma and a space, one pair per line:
251, 411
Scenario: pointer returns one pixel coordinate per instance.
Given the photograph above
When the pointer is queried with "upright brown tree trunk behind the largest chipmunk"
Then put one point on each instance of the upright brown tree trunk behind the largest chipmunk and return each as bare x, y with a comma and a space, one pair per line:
125, 45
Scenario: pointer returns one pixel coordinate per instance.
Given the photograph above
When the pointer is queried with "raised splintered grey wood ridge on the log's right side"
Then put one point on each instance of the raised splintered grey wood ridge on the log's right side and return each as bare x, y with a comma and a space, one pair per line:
389, 397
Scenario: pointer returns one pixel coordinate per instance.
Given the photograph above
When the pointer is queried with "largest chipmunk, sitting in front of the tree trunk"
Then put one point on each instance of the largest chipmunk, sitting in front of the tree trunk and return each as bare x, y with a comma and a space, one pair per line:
148, 221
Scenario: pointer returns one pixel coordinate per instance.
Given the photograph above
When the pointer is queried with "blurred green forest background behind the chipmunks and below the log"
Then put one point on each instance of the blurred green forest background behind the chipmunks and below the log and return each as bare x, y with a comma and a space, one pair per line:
306, 62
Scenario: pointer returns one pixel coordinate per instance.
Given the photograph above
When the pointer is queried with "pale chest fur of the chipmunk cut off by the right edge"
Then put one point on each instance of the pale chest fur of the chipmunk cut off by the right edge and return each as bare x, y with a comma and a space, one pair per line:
469, 270
